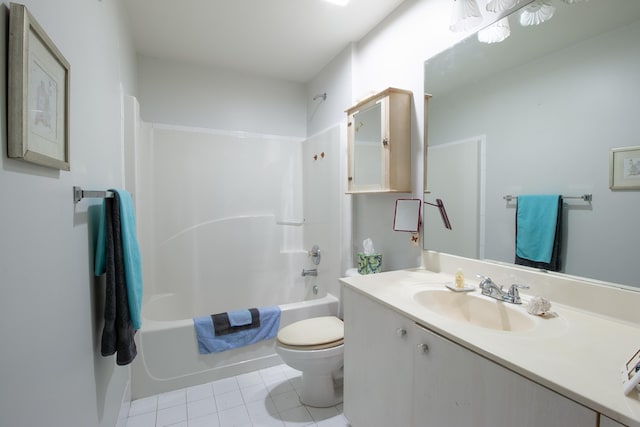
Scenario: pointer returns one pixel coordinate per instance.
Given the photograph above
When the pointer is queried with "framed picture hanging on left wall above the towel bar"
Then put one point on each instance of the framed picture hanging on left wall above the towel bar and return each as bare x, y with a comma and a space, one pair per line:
38, 94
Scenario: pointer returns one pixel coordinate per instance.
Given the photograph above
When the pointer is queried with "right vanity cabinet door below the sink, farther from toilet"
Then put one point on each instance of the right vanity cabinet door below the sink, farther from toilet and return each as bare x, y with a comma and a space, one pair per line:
456, 387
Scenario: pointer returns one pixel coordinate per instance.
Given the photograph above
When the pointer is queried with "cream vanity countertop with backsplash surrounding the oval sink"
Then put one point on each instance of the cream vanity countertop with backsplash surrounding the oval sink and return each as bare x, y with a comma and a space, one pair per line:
578, 354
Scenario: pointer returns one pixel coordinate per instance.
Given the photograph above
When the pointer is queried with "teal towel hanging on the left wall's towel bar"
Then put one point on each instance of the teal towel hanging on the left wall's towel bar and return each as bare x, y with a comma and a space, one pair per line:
131, 254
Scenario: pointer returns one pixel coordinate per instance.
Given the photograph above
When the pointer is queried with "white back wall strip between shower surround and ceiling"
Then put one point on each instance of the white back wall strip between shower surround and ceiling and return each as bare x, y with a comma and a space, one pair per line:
198, 96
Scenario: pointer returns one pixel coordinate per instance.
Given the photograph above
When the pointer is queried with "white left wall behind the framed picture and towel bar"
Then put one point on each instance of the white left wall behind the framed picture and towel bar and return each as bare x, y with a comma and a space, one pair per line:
50, 311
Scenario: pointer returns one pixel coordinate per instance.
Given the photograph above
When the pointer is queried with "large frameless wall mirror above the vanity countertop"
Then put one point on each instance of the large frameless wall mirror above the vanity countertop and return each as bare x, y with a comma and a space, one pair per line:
538, 113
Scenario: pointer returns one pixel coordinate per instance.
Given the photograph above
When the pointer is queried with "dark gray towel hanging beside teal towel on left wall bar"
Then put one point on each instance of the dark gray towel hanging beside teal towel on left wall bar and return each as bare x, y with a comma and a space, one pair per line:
117, 335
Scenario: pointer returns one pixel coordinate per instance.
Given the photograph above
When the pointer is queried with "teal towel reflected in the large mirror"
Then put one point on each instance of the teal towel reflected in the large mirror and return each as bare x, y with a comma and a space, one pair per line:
536, 222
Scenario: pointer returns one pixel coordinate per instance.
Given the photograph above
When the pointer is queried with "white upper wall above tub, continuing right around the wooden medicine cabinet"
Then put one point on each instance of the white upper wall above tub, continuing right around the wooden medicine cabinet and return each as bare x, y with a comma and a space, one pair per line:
391, 55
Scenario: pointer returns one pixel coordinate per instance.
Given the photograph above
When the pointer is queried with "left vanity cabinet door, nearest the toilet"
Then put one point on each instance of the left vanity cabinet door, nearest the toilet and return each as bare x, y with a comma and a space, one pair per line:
378, 358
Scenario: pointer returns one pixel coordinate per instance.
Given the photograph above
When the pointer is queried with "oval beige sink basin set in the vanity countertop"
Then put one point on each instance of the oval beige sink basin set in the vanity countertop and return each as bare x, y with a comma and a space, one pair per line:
483, 312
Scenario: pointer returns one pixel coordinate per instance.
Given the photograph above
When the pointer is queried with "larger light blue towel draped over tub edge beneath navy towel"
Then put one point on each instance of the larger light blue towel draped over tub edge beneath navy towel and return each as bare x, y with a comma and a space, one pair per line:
208, 342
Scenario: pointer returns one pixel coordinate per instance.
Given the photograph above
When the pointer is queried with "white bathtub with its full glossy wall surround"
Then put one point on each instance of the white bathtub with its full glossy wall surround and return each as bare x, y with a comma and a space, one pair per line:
213, 239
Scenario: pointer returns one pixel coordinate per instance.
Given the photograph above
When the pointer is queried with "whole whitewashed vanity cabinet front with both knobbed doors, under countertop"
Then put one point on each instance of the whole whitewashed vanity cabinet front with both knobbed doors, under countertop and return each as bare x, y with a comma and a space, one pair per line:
397, 372
